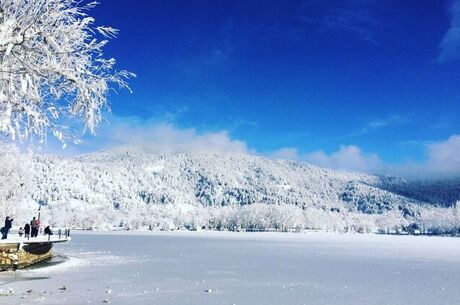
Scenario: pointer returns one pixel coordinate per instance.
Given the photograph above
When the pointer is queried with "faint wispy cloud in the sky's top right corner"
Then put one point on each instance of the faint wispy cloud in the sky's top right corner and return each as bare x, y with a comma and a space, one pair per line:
449, 49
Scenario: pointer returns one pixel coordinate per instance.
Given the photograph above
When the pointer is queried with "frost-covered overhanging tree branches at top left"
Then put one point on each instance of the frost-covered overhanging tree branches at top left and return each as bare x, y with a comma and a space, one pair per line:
52, 67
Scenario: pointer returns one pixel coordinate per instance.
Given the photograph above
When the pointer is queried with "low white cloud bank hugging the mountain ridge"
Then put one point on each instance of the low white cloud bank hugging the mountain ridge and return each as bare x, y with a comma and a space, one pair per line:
442, 158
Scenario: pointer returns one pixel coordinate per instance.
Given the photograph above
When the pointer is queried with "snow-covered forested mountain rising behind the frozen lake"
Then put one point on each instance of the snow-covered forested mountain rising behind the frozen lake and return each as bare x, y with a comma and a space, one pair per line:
135, 187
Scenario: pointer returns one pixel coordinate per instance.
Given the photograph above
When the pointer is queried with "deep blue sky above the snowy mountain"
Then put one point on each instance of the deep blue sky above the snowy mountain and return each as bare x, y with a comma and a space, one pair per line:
306, 80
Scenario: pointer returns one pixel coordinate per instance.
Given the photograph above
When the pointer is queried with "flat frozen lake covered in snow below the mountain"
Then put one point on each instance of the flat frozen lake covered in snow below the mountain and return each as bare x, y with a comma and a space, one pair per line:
242, 268
